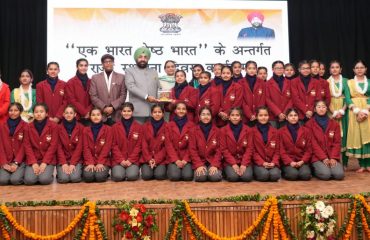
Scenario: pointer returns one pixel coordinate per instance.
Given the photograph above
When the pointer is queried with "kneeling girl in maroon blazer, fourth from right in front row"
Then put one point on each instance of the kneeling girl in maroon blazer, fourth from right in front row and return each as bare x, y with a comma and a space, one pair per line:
236, 147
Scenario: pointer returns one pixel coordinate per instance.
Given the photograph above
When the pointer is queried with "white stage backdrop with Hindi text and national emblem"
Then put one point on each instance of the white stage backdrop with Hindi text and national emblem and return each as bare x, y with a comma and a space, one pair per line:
188, 32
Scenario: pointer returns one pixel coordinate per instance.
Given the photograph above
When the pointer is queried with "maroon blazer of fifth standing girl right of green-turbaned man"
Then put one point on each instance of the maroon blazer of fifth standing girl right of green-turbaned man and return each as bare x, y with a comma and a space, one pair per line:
278, 101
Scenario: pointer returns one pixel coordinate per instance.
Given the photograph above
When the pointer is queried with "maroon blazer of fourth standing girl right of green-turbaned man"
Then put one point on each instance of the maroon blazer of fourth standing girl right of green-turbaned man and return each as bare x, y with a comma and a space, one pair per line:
253, 99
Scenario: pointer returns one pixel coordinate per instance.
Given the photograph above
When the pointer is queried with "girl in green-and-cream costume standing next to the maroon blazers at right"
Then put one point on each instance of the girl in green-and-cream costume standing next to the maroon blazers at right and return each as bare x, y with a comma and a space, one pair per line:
338, 107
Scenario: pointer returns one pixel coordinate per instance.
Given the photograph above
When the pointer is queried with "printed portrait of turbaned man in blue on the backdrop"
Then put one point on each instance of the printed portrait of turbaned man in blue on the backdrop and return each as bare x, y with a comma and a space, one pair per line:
257, 30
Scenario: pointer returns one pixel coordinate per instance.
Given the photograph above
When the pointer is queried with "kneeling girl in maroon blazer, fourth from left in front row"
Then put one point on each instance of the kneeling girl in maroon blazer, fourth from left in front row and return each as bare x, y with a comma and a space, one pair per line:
97, 144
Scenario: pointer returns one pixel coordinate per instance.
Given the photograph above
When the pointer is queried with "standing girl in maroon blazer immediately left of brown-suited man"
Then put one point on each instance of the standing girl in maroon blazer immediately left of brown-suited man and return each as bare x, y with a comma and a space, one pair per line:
77, 92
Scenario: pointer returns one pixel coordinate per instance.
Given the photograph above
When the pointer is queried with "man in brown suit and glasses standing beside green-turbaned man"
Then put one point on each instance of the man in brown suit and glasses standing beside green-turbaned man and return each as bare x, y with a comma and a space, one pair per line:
108, 90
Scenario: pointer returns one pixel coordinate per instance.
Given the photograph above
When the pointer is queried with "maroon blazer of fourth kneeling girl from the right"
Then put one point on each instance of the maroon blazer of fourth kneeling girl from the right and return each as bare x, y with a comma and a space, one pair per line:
236, 152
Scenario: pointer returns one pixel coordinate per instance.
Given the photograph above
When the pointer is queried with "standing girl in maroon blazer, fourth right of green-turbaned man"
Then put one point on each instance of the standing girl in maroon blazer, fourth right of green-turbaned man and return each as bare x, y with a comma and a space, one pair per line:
254, 92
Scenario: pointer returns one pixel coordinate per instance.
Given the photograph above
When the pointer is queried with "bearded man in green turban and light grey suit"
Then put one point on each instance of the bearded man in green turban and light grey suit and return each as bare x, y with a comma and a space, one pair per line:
142, 84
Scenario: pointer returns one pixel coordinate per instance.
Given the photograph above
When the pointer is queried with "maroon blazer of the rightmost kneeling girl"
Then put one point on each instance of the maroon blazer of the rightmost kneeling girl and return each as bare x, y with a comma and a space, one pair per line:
325, 145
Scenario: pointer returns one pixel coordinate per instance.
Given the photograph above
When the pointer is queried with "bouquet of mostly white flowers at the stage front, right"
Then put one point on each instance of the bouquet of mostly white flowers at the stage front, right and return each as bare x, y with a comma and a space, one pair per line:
318, 221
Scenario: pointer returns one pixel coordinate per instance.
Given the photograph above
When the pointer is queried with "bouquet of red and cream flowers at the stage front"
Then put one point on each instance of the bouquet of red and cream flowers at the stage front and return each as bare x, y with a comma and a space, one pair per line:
135, 222
